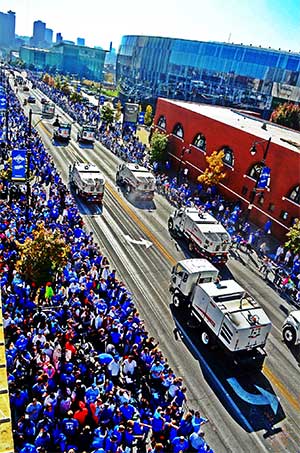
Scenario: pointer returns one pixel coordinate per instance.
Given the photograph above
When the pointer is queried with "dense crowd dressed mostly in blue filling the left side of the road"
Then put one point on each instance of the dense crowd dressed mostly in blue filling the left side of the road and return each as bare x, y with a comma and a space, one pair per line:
84, 374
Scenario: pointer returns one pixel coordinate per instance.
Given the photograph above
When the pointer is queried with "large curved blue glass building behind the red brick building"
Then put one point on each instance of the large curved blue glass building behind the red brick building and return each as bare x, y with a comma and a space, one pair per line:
149, 67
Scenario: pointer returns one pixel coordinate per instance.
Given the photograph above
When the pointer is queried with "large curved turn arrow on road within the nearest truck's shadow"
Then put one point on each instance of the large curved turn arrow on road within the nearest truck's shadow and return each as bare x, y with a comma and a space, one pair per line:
264, 399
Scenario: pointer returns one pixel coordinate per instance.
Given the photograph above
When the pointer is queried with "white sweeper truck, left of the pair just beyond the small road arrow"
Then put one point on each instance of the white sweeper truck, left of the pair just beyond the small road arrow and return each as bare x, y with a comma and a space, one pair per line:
87, 181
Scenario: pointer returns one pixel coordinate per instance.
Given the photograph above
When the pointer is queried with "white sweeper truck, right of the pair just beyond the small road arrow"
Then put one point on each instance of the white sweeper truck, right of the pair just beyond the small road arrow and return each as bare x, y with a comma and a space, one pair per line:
137, 180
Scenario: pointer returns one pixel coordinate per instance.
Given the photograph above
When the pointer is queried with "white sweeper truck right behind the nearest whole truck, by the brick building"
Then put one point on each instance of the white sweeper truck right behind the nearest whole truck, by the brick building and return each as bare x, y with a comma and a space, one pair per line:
205, 235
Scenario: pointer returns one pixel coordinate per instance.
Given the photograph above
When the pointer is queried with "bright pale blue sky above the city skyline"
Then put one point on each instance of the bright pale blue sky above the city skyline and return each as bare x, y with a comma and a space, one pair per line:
274, 23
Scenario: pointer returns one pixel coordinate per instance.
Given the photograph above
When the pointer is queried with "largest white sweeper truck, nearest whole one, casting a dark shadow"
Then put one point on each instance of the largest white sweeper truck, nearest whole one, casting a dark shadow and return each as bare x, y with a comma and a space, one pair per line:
226, 314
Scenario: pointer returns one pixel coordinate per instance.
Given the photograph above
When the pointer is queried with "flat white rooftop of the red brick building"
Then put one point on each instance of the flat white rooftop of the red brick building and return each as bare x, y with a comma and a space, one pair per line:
280, 135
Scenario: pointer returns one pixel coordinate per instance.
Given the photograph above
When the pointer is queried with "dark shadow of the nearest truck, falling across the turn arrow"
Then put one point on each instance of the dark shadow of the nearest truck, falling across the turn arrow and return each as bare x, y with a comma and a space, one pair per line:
247, 395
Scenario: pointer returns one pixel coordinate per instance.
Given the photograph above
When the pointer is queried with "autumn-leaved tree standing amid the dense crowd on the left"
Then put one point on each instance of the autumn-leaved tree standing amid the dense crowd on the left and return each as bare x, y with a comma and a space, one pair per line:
42, 256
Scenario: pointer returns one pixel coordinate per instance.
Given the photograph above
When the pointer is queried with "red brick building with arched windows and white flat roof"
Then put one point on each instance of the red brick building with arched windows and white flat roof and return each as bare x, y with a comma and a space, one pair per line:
196, 130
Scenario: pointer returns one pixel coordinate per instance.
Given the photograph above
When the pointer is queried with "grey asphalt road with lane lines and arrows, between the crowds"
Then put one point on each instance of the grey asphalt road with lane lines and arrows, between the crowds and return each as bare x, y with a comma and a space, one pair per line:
254, 412
